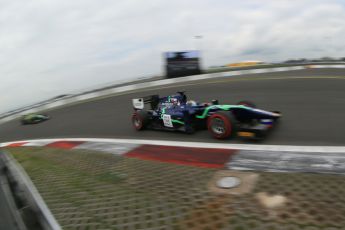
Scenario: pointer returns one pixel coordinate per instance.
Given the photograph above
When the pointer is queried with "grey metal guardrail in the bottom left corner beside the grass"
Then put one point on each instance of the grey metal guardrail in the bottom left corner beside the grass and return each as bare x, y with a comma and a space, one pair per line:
34, 211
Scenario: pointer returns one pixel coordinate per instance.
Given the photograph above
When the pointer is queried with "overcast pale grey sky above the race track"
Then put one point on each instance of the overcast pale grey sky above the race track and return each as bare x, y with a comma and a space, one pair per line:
48, 48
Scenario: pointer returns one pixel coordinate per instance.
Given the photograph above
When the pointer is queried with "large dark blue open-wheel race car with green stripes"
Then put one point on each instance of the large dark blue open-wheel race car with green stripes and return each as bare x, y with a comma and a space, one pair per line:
176, 113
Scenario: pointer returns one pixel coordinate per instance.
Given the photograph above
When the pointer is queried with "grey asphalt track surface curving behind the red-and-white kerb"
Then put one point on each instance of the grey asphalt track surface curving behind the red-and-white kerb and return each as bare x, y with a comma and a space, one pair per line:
312, 102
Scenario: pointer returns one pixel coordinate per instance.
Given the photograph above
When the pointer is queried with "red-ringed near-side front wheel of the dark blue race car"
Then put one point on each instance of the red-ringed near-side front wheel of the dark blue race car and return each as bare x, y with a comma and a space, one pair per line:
222, 125
